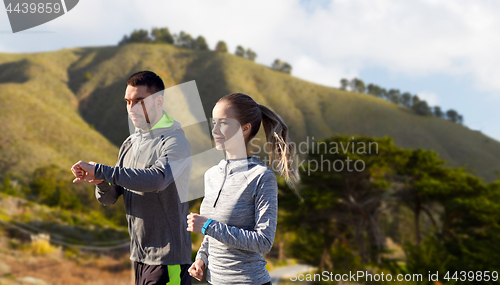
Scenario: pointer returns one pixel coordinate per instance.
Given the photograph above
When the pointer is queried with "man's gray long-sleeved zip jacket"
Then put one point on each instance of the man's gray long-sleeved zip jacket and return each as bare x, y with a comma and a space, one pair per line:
153, 169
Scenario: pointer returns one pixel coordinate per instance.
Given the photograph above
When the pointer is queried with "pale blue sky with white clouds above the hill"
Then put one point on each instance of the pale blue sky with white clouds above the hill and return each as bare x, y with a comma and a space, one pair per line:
445, 51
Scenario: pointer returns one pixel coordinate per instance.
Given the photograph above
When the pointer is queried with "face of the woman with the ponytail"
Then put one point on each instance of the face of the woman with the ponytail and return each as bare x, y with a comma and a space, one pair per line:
226, 130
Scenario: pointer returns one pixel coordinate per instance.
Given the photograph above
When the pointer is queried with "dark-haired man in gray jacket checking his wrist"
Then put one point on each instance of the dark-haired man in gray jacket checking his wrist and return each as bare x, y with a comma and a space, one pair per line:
153, 168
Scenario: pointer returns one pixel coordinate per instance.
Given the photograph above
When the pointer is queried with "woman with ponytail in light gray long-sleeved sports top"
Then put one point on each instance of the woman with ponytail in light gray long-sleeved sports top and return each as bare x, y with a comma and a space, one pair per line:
239, 211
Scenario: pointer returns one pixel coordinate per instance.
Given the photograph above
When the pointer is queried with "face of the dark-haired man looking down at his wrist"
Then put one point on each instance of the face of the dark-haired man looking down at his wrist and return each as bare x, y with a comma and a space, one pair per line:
142, 108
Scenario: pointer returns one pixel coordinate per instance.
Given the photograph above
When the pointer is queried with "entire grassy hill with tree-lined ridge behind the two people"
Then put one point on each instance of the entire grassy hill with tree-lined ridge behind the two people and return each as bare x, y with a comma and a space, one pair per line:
52, 100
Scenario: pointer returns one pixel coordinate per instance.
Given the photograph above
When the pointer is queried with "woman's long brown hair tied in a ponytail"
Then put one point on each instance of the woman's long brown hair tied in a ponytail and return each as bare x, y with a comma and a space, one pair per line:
281, 149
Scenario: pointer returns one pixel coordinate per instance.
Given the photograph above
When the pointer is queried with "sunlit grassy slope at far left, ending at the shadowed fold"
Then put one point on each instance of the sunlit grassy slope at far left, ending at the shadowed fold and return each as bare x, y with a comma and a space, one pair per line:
41, 124
